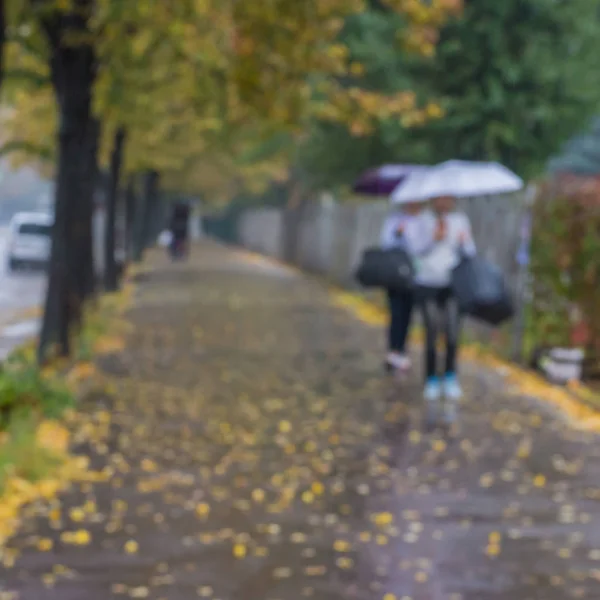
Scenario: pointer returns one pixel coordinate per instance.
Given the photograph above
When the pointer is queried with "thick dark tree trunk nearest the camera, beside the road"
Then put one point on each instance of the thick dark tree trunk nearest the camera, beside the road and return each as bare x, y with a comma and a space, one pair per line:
73, 72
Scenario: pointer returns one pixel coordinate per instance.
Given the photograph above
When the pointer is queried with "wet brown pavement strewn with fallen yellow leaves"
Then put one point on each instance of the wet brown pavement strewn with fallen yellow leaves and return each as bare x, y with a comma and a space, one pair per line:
257, 452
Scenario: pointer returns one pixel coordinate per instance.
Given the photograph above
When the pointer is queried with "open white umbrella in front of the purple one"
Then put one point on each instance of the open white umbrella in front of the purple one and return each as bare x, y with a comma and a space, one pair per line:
458, 178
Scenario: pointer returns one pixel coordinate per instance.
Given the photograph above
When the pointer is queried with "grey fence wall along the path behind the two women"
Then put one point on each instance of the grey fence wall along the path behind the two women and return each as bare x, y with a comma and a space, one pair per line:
330, 238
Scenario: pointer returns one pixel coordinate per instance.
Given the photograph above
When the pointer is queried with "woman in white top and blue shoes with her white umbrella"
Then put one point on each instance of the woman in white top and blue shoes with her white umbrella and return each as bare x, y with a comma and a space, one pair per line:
438, 239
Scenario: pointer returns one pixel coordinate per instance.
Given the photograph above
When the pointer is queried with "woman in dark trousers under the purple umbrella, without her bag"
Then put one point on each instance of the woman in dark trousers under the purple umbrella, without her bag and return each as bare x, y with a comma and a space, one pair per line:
400, 303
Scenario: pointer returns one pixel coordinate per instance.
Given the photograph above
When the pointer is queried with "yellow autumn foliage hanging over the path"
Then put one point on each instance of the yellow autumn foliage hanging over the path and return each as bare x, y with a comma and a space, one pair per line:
186, 80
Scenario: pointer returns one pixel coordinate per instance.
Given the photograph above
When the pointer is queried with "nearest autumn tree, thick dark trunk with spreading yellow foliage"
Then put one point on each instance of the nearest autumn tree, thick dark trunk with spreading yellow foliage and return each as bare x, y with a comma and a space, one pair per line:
156, 84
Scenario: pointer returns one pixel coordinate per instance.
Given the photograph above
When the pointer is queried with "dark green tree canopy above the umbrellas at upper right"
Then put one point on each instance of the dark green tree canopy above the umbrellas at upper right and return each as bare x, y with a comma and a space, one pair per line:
515, 78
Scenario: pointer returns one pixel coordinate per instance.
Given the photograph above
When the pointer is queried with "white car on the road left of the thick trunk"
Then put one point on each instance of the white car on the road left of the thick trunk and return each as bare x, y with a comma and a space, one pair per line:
29, 240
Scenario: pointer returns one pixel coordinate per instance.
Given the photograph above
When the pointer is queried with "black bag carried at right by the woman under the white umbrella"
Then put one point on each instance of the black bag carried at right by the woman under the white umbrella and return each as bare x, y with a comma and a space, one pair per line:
481, 291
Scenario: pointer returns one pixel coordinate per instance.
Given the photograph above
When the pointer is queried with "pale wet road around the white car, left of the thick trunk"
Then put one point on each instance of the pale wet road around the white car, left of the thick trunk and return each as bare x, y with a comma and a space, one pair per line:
20, 294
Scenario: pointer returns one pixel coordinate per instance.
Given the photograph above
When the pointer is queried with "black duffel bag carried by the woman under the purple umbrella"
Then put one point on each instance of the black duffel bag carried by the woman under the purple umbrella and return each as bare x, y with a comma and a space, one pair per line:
391, 269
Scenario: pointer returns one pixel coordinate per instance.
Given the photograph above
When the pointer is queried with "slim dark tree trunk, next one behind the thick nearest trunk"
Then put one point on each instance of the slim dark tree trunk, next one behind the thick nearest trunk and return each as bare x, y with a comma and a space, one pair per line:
111, 271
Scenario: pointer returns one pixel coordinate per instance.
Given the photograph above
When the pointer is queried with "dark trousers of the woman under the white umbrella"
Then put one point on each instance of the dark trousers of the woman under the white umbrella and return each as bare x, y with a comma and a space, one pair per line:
440, 312
